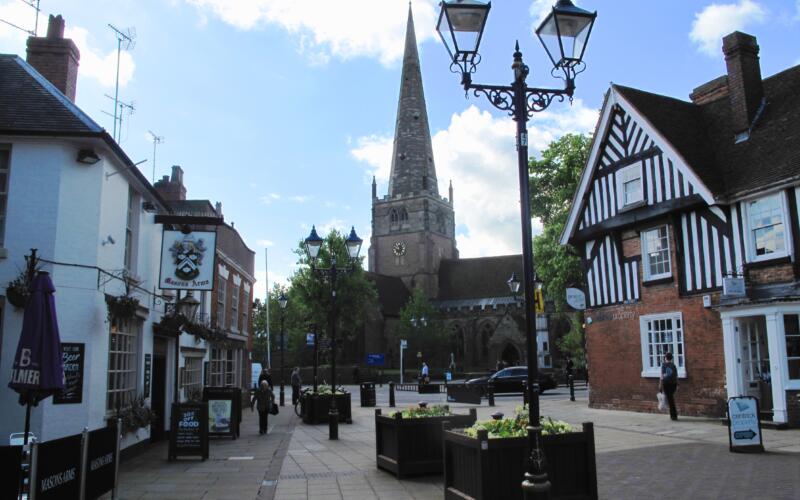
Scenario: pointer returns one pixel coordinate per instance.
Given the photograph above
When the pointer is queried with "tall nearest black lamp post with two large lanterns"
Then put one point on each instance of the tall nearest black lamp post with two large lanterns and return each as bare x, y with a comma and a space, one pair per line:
564, 34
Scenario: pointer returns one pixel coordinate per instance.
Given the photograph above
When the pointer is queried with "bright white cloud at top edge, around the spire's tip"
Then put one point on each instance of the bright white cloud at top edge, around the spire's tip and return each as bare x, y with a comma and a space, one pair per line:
344, 29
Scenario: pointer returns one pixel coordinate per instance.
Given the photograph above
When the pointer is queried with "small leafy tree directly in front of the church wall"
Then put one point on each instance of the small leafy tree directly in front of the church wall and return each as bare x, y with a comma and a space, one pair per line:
422, 326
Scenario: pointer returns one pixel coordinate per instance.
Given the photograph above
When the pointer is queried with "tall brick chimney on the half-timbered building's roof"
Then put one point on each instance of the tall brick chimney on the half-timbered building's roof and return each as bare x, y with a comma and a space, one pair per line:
744, 79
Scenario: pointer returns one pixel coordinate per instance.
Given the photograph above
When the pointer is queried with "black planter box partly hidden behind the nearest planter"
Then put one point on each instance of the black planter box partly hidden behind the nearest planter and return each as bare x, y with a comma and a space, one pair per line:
413, 446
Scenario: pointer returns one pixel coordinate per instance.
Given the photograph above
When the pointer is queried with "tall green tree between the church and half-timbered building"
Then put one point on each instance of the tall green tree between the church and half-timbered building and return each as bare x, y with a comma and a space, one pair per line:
553, 181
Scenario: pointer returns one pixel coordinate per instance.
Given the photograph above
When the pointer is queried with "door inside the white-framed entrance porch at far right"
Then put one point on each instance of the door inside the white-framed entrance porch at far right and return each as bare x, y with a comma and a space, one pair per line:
754, 356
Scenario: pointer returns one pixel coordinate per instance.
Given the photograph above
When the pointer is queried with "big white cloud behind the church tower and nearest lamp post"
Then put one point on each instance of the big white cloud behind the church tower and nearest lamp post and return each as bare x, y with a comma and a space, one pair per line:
477, 152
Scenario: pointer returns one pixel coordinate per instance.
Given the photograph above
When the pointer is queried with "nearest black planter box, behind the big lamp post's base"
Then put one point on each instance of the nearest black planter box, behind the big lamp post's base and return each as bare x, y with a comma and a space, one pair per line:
494, 468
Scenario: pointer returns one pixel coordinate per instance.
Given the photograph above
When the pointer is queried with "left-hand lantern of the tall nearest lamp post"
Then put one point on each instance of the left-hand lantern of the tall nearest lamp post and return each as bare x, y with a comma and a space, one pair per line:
461, 24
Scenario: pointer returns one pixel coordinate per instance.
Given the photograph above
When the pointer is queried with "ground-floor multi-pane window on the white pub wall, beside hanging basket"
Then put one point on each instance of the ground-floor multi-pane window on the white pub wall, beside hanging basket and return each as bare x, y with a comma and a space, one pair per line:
123, 363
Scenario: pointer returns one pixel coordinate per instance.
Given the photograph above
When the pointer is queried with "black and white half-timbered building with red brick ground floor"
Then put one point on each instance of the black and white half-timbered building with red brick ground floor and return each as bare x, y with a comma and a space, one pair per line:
686, 219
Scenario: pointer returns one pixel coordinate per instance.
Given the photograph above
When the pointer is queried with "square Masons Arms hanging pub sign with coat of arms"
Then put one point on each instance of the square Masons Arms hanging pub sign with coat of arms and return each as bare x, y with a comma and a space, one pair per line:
187, 260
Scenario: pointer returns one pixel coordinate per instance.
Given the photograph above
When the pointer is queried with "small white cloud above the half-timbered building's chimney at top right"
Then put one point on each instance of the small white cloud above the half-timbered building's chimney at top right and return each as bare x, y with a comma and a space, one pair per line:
718, 20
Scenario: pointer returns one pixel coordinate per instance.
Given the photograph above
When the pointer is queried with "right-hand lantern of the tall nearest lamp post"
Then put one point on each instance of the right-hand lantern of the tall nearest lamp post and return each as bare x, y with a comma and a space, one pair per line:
564, 34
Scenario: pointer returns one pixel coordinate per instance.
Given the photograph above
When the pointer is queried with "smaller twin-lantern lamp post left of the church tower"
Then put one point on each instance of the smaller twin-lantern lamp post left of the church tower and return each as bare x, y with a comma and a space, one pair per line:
313, 244
